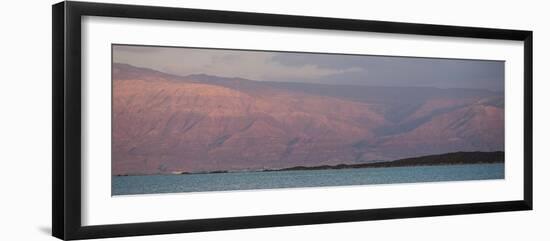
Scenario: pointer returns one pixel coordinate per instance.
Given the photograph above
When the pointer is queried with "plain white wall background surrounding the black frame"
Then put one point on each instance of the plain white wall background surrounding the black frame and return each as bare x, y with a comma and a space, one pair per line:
25, 123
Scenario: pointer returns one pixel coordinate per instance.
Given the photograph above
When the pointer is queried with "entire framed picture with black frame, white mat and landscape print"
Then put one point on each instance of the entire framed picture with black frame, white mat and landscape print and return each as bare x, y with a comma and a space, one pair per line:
169, 120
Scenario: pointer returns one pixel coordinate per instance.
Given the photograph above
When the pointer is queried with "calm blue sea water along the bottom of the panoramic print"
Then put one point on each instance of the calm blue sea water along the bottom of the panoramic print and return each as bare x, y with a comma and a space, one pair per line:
123, 185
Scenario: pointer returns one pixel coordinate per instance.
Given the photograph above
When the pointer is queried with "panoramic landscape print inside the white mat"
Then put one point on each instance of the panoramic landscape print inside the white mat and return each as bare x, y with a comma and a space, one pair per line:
188, 119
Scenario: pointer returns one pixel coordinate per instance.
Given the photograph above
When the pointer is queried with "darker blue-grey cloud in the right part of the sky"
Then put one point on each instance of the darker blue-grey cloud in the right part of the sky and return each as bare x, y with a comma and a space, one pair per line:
404, 71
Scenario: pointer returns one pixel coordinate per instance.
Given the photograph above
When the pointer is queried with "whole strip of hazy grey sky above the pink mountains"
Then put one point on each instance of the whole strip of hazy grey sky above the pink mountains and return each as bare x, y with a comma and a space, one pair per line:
317, 68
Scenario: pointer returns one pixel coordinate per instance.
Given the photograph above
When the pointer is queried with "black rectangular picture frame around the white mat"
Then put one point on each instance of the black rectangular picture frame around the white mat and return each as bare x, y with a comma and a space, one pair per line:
66, 75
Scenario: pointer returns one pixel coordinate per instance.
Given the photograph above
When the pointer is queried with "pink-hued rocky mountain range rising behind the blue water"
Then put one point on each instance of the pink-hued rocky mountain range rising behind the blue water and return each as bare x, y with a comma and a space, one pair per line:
164, 123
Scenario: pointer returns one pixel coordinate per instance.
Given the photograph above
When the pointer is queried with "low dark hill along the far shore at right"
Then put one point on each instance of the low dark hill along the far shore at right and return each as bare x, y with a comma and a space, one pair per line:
455, 158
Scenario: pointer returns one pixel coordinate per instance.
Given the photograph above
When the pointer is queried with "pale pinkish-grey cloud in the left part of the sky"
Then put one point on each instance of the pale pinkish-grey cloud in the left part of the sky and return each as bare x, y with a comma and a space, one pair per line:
255, 65
